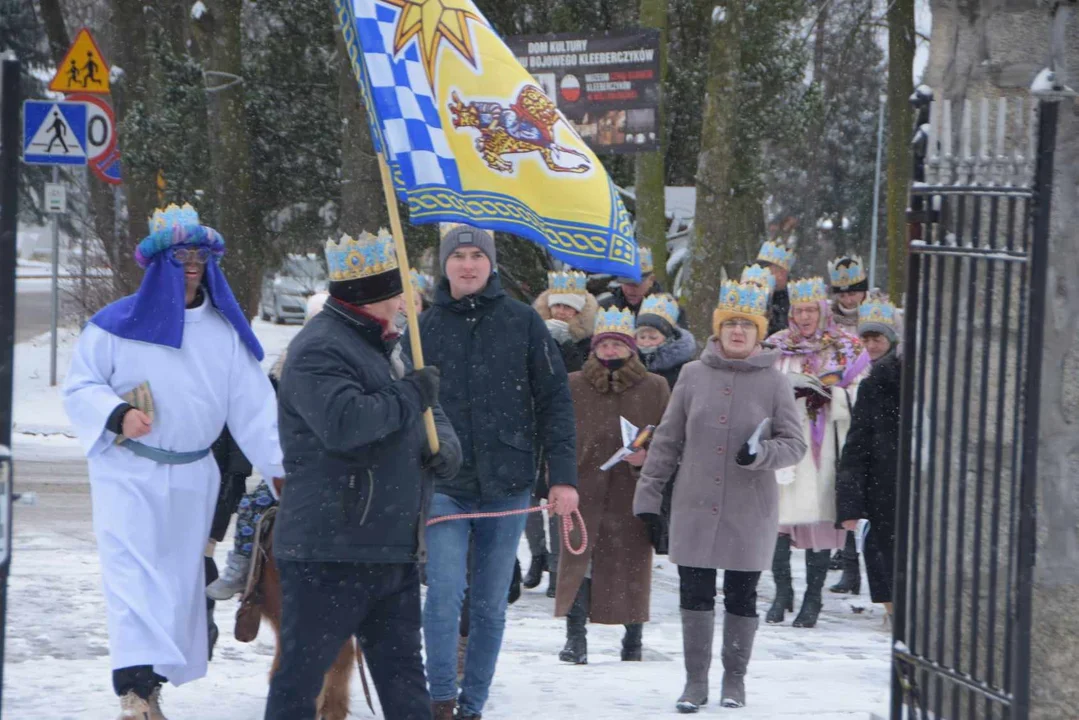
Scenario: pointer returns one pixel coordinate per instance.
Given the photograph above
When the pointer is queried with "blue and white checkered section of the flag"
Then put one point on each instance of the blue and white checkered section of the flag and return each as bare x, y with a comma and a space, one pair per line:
404, 102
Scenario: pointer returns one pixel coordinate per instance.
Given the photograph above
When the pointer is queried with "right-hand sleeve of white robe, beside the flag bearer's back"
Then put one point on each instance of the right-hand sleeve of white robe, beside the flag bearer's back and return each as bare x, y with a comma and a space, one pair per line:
253, 415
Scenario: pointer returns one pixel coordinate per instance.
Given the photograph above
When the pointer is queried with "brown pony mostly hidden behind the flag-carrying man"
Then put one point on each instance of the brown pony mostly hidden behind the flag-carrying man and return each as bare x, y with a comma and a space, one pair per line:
263, 600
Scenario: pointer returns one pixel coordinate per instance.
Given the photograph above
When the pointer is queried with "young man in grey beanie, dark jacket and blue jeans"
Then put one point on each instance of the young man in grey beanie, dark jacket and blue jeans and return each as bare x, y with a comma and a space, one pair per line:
504, 388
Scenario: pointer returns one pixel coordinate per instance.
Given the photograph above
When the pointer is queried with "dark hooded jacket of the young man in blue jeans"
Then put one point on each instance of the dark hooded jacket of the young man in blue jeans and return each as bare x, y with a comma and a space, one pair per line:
504, 388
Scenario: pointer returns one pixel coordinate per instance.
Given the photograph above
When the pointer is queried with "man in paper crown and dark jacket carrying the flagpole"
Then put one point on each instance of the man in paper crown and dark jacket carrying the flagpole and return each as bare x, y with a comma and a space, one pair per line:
350, 529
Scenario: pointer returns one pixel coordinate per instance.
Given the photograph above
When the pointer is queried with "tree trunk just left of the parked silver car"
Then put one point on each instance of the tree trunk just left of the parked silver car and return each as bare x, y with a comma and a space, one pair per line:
220, 31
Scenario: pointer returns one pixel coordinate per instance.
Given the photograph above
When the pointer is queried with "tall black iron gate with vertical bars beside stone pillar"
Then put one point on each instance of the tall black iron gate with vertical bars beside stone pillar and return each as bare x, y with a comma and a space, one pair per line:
971, 399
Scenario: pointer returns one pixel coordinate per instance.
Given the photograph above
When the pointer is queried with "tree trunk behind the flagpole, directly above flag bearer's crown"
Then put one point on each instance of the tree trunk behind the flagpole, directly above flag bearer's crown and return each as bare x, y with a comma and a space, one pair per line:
363, 202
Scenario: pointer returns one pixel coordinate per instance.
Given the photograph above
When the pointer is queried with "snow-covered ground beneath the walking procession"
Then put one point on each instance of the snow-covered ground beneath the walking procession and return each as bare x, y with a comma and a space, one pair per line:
58, 664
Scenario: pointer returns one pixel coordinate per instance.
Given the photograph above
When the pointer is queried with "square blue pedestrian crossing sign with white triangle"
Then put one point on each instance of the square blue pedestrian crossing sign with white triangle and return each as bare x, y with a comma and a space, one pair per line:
54, 133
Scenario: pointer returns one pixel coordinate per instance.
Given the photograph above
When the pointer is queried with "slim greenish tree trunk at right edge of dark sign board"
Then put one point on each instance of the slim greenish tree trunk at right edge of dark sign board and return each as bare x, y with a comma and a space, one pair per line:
651, 174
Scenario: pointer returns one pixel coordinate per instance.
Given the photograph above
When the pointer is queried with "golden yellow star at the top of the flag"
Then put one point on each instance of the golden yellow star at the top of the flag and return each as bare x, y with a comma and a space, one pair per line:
432, 22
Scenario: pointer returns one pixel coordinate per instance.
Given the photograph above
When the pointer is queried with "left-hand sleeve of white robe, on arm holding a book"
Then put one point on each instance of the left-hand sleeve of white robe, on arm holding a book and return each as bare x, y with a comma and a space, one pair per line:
89, 399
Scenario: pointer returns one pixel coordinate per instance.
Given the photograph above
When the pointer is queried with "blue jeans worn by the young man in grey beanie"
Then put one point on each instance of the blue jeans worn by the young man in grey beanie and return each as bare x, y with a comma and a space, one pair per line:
495, 553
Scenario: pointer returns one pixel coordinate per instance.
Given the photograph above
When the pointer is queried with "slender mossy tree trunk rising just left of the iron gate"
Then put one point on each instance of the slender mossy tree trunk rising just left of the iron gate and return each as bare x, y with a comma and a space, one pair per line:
899, 165
